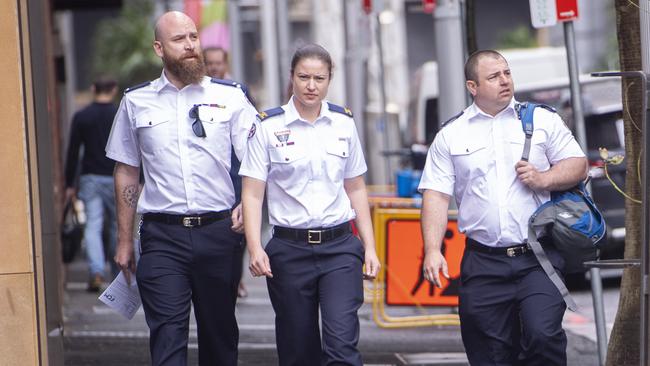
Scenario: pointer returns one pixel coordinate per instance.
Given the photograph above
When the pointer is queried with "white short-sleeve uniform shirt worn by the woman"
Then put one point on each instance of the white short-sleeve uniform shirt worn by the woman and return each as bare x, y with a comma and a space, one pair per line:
304, 165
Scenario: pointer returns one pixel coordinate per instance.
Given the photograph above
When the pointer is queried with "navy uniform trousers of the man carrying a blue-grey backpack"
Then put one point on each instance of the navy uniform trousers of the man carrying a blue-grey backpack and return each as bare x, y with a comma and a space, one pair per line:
510, 311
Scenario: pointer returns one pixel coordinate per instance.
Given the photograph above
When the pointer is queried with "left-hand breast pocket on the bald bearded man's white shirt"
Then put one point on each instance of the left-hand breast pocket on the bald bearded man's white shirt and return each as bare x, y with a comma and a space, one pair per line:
155, 131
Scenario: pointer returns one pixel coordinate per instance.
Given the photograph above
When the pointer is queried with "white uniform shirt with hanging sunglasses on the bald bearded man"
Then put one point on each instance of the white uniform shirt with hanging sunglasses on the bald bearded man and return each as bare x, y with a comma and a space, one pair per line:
183, 173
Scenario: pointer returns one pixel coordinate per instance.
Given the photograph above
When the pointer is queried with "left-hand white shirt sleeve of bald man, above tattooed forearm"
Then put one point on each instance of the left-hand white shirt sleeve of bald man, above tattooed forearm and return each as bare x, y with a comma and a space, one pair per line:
122, 145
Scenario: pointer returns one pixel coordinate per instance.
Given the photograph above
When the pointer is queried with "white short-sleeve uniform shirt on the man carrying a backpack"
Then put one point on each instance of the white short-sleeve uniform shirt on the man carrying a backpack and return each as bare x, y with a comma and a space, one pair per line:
474, 157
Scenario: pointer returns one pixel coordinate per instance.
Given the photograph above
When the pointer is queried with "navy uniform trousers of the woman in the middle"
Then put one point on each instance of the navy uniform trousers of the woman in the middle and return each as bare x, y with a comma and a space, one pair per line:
306, 276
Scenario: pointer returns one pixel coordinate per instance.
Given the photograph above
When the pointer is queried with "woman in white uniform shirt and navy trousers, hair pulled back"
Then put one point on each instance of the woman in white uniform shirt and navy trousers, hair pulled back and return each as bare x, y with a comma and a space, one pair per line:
307, 156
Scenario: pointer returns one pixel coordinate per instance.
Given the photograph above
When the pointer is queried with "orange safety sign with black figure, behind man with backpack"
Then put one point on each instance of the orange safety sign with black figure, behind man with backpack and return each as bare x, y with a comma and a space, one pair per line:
405, 283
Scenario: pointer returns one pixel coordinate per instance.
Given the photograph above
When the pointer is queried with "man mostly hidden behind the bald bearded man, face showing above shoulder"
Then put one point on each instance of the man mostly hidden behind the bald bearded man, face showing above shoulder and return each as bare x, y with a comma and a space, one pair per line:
216, 66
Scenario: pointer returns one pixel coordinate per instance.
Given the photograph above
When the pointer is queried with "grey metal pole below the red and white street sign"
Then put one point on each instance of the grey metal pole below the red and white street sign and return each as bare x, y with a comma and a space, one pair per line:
574, 82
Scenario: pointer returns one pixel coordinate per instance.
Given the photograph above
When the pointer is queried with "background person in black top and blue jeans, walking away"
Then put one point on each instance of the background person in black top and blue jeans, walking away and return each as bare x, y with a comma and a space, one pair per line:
89, 131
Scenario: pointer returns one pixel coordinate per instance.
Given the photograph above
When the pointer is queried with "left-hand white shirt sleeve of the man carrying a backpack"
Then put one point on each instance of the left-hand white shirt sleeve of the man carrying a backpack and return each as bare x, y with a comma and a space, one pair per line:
438, 174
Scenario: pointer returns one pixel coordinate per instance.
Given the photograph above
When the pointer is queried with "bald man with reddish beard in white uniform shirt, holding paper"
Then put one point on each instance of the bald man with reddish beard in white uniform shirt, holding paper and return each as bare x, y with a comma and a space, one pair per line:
180, 129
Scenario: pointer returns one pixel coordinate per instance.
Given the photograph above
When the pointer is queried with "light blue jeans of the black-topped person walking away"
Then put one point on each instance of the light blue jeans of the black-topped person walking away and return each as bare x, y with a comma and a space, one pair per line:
98, 195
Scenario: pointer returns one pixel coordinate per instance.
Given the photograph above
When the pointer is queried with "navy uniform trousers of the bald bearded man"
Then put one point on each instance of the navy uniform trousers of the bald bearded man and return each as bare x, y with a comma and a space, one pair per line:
198, 265
